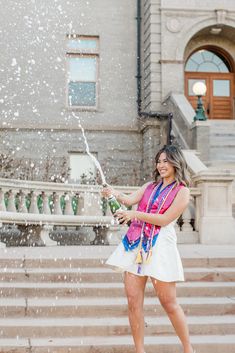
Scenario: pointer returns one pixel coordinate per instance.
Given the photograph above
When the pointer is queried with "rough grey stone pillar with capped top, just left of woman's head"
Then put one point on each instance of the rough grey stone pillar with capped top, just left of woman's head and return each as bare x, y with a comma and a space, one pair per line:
154, 137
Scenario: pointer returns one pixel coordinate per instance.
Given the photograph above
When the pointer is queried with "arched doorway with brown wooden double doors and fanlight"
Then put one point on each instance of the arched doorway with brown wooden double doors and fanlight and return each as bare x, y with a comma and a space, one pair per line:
213, 67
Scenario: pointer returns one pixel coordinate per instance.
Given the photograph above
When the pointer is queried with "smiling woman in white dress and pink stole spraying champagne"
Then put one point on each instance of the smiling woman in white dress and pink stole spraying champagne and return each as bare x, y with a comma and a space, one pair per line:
149, 248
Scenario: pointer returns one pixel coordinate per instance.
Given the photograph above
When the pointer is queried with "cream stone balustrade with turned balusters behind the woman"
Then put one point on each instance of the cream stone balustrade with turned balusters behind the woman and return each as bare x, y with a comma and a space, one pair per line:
41, 206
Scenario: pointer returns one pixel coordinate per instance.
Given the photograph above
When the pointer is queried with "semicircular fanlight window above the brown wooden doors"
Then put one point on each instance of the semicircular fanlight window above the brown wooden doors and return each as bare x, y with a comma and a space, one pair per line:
206, 61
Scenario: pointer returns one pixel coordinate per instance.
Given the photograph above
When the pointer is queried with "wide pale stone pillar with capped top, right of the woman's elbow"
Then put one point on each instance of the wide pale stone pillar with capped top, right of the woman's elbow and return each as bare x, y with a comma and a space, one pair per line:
216, 223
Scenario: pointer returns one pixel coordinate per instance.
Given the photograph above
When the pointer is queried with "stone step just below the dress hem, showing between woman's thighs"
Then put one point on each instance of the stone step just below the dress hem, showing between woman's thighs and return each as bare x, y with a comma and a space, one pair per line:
114, 289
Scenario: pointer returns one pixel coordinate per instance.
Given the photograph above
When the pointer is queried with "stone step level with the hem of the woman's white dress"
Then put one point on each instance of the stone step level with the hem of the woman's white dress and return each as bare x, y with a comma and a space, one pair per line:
105, 274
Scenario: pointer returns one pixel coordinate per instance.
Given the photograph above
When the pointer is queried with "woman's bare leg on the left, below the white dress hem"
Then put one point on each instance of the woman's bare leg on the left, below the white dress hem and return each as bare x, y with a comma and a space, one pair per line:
134, 287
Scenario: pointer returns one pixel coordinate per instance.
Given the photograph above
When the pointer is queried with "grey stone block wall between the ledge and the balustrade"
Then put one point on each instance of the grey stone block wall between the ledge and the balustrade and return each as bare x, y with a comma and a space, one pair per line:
119, 152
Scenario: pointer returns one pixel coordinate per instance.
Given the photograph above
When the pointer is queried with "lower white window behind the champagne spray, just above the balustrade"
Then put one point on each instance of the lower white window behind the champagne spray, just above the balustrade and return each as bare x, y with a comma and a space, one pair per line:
82, 168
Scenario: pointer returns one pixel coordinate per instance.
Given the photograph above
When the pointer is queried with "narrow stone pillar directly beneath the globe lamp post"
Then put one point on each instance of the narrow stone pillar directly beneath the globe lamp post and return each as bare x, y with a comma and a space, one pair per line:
201, 138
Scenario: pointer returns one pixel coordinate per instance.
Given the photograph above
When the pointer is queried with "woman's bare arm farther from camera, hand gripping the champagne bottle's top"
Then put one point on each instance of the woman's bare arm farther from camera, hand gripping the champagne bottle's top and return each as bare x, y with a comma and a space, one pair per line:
127, 200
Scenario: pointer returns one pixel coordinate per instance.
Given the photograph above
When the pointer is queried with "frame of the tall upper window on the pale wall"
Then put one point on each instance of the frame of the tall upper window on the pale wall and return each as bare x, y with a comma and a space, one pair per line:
83, 53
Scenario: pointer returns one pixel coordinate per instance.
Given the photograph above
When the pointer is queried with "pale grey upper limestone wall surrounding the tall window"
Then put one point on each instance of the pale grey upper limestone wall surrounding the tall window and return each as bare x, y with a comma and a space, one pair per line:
33, 62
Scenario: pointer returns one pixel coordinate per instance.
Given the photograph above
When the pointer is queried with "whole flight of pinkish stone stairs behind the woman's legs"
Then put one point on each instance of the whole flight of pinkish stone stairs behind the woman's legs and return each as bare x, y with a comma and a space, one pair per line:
63, 299
